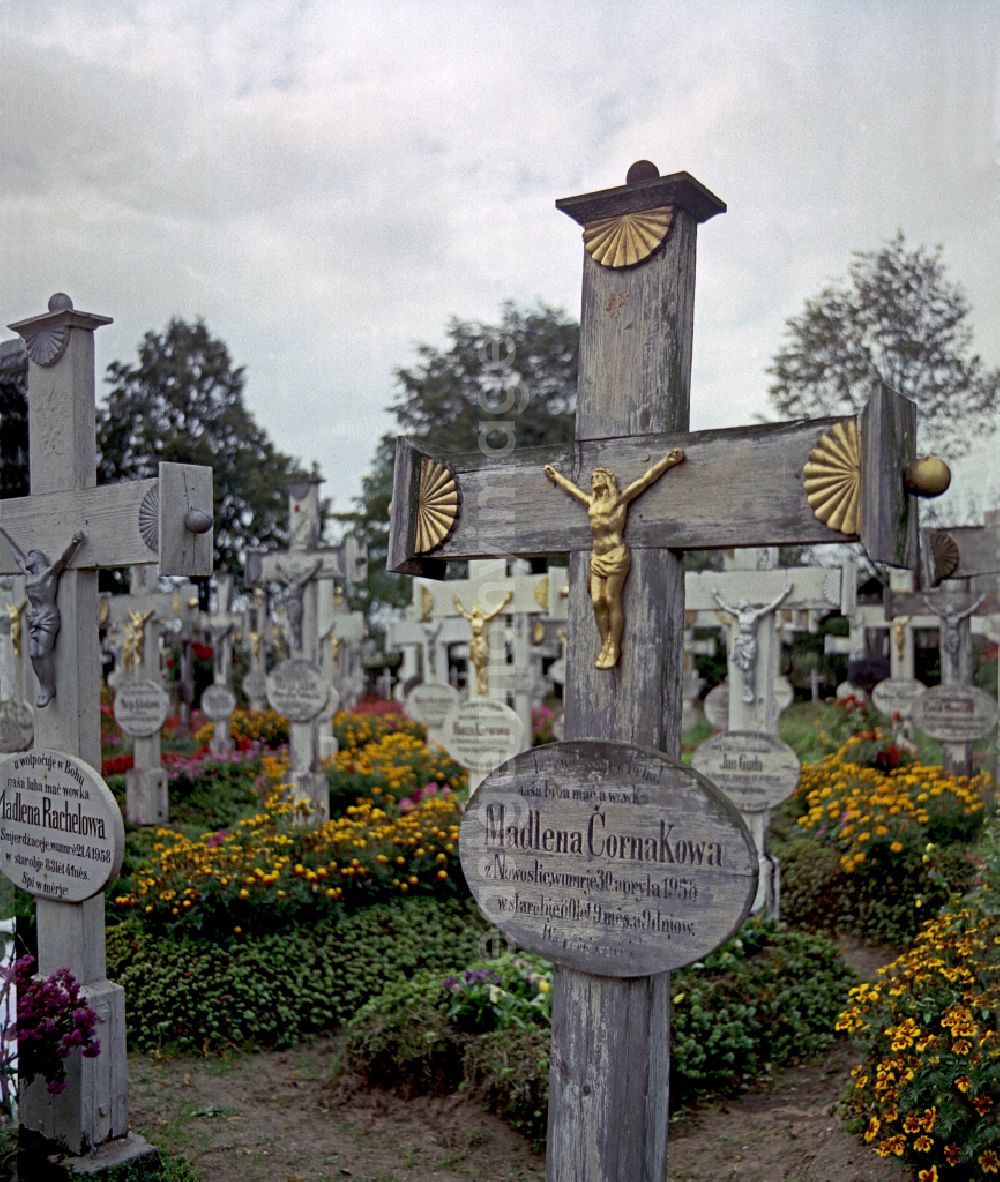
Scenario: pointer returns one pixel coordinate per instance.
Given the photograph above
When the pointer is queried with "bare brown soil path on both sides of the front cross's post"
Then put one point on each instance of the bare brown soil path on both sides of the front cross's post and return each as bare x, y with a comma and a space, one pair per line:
274, 1119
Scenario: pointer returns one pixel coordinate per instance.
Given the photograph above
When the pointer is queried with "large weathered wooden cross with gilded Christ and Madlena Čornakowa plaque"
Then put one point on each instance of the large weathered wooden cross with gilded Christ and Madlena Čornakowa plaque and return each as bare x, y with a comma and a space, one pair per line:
758, 486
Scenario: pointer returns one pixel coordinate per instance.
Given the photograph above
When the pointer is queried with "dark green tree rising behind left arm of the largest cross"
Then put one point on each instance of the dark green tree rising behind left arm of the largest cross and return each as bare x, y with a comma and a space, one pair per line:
492, 387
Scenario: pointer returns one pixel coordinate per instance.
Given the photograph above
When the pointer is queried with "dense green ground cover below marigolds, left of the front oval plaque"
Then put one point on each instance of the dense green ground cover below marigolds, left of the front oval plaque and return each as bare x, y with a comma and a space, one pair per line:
274, 991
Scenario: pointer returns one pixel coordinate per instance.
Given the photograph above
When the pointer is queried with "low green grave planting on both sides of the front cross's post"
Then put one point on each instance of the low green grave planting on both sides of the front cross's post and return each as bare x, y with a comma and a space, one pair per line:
765, 999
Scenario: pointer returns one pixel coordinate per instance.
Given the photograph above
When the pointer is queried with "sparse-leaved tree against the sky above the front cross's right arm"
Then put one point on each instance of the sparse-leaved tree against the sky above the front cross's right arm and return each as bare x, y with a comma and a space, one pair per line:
899, 320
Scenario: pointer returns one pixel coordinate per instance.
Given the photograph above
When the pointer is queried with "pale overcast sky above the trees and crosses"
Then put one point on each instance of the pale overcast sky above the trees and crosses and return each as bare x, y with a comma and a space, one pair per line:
327, 184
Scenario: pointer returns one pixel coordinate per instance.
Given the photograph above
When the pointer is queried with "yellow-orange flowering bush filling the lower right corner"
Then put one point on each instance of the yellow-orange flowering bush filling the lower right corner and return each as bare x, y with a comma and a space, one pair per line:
928, 1090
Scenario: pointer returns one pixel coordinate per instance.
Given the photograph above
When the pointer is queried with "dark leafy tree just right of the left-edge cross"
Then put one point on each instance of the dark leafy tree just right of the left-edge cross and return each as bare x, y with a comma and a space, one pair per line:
184, 402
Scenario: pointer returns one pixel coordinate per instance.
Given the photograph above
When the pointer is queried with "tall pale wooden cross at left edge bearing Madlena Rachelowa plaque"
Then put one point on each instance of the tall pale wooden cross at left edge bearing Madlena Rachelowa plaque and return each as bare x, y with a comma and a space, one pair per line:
63, 534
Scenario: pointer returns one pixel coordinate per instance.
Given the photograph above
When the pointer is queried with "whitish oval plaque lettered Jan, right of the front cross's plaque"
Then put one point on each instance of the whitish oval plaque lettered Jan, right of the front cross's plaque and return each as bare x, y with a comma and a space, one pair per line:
756, 771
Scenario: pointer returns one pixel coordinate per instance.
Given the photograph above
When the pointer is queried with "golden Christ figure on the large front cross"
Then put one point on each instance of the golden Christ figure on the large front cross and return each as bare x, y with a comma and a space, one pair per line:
611, 560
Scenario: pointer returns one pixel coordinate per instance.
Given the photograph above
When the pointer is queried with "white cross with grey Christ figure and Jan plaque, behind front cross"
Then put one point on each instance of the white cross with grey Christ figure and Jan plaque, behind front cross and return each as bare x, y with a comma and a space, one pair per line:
749, 762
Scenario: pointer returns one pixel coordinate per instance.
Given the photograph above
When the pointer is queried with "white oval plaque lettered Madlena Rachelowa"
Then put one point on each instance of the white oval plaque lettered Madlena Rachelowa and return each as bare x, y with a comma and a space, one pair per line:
62, 835
